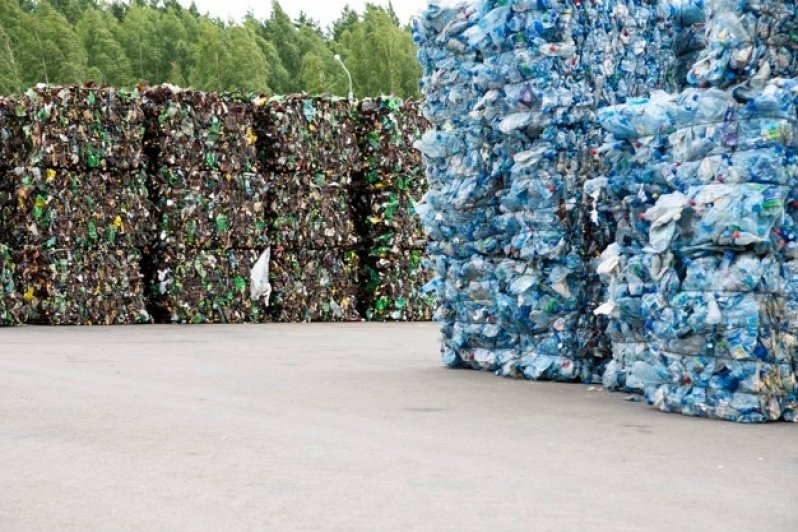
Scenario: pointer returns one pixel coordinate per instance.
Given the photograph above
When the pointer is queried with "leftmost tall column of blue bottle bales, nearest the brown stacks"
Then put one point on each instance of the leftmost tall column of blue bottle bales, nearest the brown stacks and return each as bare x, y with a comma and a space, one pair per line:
460, 211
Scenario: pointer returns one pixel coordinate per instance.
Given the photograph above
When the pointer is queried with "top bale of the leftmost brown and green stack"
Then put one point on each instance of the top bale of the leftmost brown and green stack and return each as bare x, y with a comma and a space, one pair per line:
87, 127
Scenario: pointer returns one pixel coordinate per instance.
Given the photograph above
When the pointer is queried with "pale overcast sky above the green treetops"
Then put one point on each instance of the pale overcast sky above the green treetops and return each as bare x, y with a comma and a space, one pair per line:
323, 10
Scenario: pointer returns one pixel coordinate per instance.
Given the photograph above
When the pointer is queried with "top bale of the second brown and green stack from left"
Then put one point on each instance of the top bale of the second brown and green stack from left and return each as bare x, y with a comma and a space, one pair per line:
195, 130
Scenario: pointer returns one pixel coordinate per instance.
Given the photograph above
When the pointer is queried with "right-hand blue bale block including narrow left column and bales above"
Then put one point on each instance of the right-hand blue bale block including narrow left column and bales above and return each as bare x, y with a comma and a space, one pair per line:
701, 269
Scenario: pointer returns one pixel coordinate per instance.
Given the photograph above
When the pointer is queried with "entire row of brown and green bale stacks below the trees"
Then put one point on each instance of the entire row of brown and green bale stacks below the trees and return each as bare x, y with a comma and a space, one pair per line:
176, 202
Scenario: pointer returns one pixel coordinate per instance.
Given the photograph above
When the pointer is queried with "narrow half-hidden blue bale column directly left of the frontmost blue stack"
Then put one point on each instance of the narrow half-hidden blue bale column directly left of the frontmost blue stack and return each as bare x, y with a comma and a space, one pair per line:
637, 153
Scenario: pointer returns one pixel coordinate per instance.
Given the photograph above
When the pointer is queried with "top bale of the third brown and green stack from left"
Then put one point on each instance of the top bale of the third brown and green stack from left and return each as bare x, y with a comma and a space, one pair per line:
306, 134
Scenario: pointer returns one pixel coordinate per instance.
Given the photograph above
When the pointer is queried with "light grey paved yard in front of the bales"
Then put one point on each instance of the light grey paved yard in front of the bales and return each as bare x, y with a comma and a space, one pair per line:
352, 427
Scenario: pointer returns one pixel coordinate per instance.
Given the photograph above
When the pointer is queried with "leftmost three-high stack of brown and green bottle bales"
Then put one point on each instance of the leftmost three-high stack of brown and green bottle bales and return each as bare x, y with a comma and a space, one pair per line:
74, 206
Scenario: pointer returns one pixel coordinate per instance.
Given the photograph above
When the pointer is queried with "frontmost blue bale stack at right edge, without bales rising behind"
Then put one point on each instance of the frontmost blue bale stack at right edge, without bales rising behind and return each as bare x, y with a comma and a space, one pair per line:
710, 279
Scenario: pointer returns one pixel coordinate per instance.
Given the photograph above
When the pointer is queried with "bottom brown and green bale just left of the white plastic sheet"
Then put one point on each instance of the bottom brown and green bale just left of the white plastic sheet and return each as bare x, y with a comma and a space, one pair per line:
204, 286
